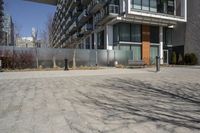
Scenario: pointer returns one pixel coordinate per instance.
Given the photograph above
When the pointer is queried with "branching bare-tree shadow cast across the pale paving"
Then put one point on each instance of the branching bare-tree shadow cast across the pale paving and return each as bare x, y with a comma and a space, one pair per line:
135, 101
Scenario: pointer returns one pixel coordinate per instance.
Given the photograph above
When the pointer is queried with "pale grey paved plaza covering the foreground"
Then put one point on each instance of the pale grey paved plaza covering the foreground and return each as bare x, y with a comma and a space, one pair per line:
101, 101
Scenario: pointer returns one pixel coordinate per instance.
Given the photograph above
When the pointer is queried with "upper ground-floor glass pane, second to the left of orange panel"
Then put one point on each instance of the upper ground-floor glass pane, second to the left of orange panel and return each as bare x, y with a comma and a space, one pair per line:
124, 32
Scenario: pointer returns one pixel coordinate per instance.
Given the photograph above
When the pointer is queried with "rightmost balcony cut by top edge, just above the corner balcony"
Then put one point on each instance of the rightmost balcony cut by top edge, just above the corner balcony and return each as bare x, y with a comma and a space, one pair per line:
96, 5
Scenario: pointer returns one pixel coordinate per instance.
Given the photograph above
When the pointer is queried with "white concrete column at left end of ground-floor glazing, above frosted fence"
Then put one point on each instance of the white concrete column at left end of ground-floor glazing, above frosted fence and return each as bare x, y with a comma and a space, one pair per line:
109, 37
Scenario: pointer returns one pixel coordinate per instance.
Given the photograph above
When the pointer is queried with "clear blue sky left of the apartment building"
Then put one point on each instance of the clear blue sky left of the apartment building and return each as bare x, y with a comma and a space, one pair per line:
28, 14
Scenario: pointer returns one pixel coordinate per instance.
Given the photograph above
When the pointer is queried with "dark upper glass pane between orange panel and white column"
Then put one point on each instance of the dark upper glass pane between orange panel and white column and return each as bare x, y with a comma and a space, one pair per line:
154, 34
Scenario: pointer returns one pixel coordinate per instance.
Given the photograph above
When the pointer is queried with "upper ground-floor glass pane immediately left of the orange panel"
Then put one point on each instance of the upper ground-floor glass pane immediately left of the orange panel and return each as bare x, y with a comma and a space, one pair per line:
135, 33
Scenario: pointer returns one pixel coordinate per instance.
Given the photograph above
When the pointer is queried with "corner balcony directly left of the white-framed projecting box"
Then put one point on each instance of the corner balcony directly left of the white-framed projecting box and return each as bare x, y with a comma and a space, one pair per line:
109, 12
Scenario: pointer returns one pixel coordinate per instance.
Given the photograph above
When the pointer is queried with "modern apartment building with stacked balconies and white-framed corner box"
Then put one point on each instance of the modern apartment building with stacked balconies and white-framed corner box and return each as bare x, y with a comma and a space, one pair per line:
147, 27
